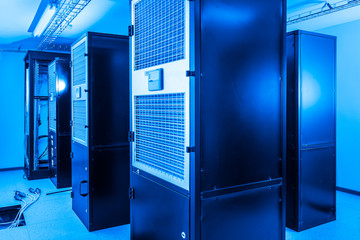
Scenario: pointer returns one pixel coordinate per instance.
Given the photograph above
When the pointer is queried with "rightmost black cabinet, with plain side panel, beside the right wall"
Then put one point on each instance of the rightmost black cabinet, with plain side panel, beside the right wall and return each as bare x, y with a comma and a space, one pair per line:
311, 134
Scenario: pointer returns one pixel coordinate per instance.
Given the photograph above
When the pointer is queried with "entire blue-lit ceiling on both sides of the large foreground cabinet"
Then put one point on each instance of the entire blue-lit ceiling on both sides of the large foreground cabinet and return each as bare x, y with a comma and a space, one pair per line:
112, 16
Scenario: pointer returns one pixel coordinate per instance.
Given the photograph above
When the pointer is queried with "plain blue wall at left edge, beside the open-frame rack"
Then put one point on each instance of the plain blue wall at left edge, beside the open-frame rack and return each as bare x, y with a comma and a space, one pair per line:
11, 109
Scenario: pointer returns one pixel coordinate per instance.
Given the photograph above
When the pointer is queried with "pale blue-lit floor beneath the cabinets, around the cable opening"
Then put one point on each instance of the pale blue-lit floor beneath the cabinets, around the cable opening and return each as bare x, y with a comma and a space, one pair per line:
52, 217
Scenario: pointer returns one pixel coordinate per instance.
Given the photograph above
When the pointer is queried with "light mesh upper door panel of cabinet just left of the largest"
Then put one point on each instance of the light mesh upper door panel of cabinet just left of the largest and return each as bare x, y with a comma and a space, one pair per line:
79, 96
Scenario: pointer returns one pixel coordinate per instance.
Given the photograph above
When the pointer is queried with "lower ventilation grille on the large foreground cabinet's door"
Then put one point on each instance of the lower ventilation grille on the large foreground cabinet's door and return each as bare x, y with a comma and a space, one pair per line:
160, 133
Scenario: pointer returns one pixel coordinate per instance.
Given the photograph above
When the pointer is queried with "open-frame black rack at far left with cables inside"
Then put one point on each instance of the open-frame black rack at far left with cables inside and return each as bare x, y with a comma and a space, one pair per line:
36, 161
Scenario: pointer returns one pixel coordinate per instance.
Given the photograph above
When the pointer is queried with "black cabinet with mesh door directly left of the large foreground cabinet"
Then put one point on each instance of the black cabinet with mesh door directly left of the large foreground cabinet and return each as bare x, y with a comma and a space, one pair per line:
100, 125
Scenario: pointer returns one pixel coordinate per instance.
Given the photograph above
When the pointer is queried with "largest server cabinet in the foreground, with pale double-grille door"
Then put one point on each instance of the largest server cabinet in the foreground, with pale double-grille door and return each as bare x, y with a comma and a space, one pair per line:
207, 121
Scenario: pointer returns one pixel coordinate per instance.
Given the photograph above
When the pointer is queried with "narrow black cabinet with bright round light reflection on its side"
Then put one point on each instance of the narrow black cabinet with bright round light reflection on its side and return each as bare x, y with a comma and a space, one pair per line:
59, 122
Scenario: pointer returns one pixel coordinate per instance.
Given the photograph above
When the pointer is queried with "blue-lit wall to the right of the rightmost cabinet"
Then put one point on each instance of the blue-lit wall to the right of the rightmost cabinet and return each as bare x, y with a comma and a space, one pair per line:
348, 103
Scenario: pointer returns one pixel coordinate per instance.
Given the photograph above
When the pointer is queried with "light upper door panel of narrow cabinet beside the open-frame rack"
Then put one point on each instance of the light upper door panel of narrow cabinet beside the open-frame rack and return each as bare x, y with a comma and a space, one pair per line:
52, 99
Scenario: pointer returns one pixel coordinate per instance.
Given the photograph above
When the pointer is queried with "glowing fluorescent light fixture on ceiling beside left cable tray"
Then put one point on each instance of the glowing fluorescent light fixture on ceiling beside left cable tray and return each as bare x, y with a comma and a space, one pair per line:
44, 15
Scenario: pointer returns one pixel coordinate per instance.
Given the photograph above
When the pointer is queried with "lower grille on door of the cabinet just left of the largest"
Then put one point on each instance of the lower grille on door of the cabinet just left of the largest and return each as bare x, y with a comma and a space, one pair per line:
79, 116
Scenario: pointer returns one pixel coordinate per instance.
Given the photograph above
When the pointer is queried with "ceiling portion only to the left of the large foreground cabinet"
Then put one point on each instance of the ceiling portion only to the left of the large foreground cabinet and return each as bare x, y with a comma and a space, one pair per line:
109, 16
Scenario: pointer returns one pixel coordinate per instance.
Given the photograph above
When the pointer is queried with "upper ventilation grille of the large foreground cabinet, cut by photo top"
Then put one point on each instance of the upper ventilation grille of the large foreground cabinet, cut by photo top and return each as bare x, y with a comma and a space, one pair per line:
159, 32
